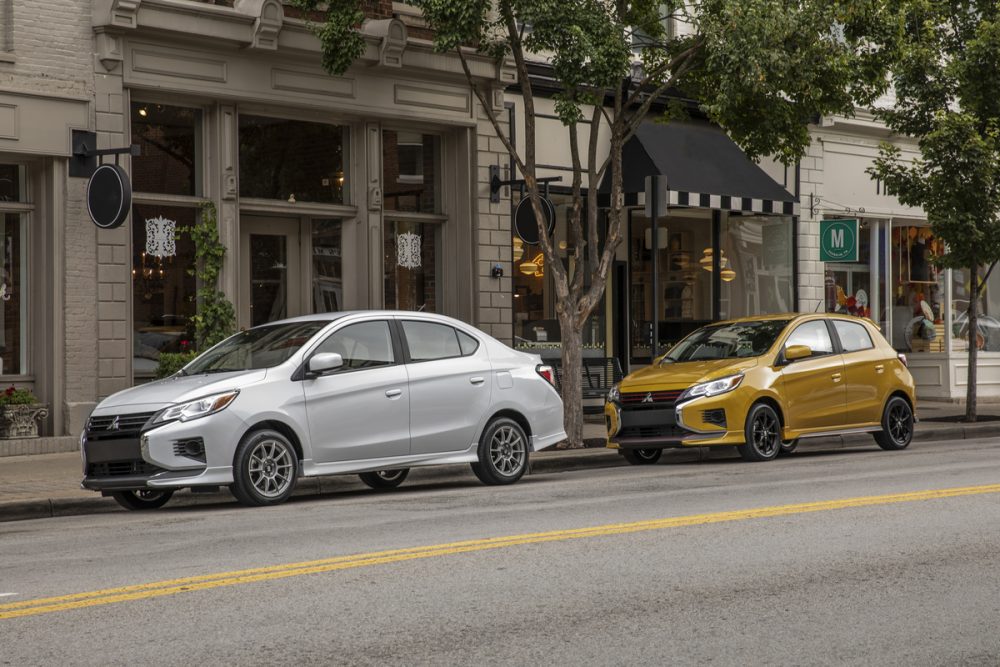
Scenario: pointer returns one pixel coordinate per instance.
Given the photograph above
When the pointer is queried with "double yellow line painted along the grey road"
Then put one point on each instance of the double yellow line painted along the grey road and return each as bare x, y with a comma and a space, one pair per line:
208, 581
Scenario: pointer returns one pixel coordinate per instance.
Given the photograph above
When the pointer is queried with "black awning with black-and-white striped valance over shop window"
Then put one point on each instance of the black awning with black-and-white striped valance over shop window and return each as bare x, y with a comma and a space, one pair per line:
704, 168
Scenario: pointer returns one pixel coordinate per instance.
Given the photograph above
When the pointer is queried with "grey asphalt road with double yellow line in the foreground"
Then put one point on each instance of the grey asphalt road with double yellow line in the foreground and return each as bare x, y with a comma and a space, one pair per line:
620, 565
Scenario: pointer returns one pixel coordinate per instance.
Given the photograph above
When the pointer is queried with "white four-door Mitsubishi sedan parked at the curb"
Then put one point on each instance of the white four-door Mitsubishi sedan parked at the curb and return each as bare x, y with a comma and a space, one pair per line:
369, 392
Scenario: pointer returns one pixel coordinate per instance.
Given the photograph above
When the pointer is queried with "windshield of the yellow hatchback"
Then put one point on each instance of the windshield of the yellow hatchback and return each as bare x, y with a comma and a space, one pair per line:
727, 341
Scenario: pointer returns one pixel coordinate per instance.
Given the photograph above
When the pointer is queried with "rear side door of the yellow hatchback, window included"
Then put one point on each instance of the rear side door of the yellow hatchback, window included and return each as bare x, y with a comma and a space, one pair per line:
864, 372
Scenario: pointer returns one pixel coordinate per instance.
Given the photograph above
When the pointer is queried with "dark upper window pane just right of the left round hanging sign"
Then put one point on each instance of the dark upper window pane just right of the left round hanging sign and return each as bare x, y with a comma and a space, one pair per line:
169, 139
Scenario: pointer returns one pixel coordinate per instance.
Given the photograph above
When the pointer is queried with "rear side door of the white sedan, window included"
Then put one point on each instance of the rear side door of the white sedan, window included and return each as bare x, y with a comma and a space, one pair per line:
450, 385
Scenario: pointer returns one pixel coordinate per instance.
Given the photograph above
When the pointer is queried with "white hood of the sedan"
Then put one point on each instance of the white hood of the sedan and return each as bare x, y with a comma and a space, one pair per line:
177, 389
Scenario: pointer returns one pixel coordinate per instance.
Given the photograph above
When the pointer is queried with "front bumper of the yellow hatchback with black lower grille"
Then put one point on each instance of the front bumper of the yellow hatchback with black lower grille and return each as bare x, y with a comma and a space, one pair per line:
695, 423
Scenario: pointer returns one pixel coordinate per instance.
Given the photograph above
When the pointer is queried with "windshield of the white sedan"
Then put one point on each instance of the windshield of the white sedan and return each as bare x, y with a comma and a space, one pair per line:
260, 347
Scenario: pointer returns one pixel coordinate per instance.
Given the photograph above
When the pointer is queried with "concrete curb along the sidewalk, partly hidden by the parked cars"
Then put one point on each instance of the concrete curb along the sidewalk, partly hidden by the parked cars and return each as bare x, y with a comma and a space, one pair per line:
552, 461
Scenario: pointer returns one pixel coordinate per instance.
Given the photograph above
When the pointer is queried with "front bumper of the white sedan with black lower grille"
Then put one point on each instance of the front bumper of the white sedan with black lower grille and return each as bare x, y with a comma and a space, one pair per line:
161, 457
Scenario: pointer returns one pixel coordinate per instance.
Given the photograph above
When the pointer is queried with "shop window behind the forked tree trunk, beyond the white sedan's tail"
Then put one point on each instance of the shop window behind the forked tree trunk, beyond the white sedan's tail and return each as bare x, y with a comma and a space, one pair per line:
535, 323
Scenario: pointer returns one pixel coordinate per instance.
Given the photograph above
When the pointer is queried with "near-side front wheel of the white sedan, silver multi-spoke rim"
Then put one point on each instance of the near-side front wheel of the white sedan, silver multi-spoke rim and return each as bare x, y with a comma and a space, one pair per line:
265, 468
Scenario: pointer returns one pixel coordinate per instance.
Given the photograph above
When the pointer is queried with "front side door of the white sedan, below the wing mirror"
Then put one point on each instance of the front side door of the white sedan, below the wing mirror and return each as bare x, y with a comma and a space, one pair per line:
362, 410
